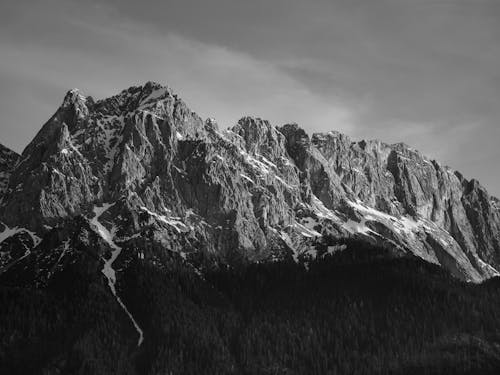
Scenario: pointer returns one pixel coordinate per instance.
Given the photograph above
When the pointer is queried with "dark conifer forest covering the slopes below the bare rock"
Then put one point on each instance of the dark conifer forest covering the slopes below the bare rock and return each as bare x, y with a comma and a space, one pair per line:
358, 312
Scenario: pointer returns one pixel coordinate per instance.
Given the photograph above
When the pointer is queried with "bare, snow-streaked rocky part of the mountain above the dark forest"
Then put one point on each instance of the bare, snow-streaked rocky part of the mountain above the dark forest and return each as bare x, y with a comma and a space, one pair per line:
168, 184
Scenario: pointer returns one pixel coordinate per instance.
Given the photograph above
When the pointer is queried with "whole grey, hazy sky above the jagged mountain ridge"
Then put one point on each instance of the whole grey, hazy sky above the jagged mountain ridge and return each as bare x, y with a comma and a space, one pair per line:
422, 72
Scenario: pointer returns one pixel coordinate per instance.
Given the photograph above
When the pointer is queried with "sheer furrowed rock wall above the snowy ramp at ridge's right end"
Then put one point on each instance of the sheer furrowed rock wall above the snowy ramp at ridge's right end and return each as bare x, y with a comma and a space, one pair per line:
398, 180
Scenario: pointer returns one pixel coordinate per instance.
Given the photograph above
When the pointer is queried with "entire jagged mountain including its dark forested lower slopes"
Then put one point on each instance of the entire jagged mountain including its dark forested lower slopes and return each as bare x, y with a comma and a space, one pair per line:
132, 208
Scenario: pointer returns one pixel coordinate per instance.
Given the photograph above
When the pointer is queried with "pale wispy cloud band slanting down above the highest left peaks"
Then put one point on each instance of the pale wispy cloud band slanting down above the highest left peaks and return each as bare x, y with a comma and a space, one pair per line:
214, 80
